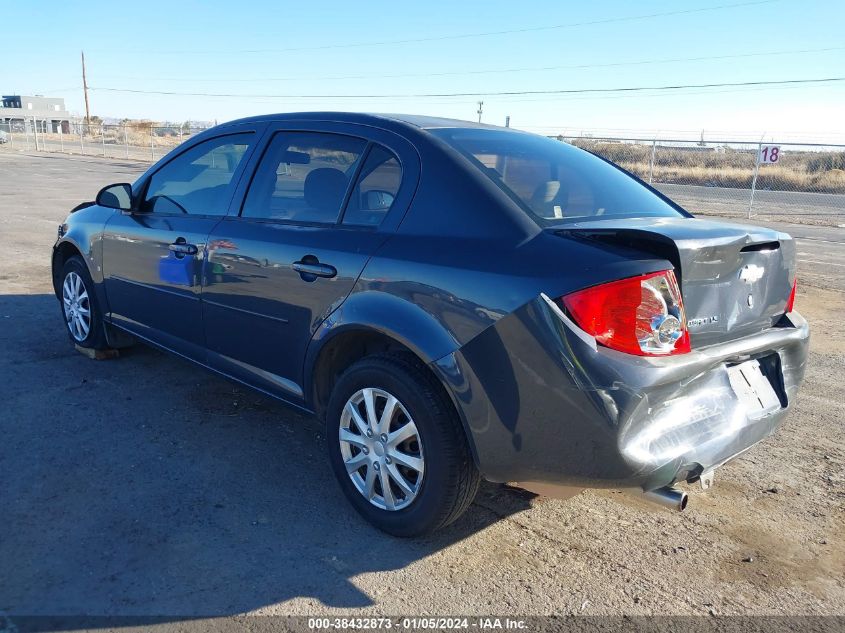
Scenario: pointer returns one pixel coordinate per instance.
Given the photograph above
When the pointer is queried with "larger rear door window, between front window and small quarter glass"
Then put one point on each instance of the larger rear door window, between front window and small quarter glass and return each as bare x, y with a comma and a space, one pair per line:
303, 177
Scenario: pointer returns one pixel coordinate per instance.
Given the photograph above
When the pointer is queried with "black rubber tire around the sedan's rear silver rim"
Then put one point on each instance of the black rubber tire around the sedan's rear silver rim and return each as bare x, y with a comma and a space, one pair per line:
451, 479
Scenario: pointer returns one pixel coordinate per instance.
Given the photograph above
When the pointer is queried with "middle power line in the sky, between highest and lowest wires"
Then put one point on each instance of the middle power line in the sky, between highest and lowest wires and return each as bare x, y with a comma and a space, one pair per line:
491, 71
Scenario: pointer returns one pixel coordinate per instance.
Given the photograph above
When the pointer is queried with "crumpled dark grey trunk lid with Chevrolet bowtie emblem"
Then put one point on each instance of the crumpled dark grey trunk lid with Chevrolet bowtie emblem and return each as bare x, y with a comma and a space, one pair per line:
735, 280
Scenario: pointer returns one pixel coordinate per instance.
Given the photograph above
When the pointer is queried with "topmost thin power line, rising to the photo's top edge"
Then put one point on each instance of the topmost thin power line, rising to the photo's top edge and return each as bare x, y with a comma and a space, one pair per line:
442, 38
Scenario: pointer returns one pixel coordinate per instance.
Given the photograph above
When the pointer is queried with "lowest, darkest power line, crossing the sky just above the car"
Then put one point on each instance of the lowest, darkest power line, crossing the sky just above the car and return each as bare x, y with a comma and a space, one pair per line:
504, 93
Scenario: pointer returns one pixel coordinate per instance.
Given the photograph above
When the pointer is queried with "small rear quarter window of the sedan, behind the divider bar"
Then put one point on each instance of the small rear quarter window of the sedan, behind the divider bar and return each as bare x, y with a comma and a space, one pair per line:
376, 189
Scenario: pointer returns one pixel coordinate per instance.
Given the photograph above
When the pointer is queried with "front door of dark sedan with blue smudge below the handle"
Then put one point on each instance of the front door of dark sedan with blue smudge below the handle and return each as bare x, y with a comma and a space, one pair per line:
152, 257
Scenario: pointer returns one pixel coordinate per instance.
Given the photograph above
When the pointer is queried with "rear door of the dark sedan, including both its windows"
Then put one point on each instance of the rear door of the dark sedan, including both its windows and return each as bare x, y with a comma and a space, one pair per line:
321, 201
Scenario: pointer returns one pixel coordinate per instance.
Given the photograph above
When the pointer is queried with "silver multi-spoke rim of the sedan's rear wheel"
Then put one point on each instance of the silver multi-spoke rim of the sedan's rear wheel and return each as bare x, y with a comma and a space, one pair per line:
381, 449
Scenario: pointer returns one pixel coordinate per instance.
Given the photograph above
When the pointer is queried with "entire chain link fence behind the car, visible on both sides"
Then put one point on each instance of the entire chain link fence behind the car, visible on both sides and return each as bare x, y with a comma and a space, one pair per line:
806, 182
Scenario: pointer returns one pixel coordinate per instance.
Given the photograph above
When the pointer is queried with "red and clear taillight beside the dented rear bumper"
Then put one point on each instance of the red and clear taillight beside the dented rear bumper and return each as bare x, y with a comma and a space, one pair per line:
641, 315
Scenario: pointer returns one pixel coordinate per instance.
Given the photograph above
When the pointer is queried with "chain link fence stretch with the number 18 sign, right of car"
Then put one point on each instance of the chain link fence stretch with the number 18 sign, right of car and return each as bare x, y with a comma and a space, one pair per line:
739, 179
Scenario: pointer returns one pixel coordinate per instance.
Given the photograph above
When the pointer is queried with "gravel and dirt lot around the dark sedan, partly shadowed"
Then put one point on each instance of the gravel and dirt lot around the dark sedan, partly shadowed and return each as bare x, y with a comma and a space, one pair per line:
146, 486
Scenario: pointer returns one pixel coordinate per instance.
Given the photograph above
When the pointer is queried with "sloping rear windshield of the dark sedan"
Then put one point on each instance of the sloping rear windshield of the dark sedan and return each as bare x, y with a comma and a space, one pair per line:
552, 181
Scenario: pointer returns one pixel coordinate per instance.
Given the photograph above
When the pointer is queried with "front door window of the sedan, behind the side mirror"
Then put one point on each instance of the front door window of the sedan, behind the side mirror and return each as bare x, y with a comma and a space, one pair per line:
199, 181
